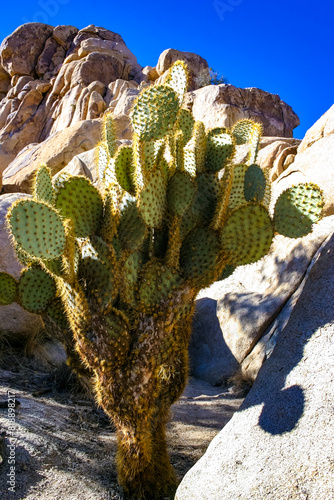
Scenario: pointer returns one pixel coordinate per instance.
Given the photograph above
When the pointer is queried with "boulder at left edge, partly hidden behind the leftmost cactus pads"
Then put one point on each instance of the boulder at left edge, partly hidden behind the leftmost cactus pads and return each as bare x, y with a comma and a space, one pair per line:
13, 319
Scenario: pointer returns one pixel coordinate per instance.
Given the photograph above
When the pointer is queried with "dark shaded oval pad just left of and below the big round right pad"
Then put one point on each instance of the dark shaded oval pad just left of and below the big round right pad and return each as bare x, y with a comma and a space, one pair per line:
199, 253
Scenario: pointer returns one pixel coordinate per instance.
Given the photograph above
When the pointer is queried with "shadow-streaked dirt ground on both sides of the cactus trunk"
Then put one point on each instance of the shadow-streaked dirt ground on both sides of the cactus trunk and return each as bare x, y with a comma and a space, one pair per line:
64, 446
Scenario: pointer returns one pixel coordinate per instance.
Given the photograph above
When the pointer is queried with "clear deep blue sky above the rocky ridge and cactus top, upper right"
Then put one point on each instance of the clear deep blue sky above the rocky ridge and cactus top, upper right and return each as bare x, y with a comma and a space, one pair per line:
284, 47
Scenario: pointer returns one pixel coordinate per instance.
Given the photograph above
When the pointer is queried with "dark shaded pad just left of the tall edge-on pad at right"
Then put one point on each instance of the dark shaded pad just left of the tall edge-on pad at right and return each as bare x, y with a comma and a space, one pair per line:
205, 201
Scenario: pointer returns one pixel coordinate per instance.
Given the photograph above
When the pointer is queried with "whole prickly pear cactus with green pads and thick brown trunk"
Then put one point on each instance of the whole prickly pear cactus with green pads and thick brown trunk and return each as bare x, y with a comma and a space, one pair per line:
125, 263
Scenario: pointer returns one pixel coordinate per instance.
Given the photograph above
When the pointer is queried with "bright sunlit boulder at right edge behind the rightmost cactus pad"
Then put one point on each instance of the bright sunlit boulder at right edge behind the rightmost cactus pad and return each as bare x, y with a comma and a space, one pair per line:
314, 161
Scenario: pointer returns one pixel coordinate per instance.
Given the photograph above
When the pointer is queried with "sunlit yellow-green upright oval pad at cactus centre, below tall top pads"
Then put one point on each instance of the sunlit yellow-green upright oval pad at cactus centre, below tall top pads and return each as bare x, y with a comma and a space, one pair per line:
152, 200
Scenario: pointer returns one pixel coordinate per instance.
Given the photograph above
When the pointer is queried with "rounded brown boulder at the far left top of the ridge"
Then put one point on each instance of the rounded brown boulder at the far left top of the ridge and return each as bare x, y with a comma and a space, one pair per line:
20, 50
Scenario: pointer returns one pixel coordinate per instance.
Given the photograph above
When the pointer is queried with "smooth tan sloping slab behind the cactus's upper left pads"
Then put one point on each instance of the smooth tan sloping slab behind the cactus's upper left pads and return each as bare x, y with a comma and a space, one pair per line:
56, 152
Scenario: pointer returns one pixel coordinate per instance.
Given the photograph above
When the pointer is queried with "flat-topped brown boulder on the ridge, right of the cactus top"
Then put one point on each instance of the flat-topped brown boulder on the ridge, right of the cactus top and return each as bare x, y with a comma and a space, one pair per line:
223, 105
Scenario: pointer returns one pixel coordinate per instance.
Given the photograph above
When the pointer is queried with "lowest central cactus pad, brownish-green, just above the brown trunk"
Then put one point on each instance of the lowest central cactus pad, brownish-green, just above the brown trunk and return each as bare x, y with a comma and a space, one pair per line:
157, 282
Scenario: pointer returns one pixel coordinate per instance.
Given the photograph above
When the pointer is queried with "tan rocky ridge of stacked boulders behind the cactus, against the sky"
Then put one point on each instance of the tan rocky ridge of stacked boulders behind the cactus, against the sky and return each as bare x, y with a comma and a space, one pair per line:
51, 78
